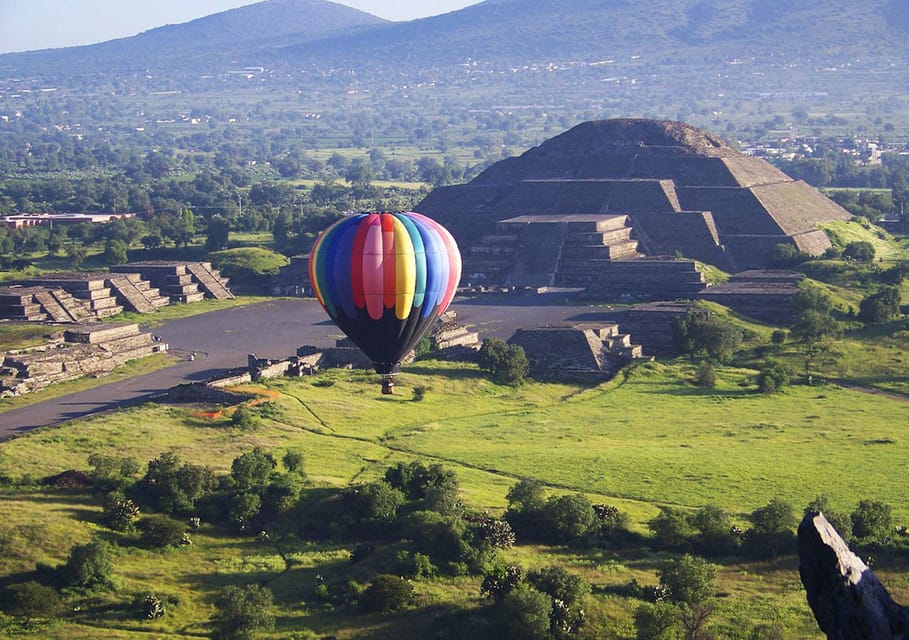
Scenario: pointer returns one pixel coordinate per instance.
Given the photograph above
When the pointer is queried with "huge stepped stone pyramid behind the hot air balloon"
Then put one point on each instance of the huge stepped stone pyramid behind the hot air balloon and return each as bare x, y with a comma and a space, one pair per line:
623, 191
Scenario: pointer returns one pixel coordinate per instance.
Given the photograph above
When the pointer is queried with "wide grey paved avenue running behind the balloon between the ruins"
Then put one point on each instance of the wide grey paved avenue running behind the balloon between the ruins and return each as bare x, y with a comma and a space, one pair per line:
222, 339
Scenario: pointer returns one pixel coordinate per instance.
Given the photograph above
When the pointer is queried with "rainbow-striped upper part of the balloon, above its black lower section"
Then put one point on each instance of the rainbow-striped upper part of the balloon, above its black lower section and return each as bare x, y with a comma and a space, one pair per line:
380, 261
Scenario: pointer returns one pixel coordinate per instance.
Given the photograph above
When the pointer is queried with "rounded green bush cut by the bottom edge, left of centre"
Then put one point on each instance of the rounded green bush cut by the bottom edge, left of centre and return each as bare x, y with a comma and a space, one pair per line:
242, 612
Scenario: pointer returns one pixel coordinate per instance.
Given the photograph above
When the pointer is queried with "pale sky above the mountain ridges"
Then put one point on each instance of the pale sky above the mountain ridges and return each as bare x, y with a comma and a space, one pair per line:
44, 24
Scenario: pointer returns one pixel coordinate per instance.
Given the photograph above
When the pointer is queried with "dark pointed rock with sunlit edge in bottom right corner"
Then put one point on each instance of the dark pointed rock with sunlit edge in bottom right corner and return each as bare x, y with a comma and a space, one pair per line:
848, 601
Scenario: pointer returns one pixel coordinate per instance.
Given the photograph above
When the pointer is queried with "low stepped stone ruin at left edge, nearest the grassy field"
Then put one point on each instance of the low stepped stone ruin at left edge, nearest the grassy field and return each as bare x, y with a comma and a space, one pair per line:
81, 350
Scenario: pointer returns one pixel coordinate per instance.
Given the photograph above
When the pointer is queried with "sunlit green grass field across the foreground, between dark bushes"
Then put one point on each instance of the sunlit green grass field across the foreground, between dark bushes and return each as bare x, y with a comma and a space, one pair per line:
638, 442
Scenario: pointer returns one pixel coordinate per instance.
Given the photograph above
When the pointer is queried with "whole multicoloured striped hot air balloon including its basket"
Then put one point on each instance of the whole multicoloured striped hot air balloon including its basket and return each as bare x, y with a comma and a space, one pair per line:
384, 279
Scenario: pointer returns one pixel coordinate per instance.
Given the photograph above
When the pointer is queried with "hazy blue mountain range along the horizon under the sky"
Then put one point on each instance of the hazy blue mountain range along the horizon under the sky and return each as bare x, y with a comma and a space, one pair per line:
513, 32
